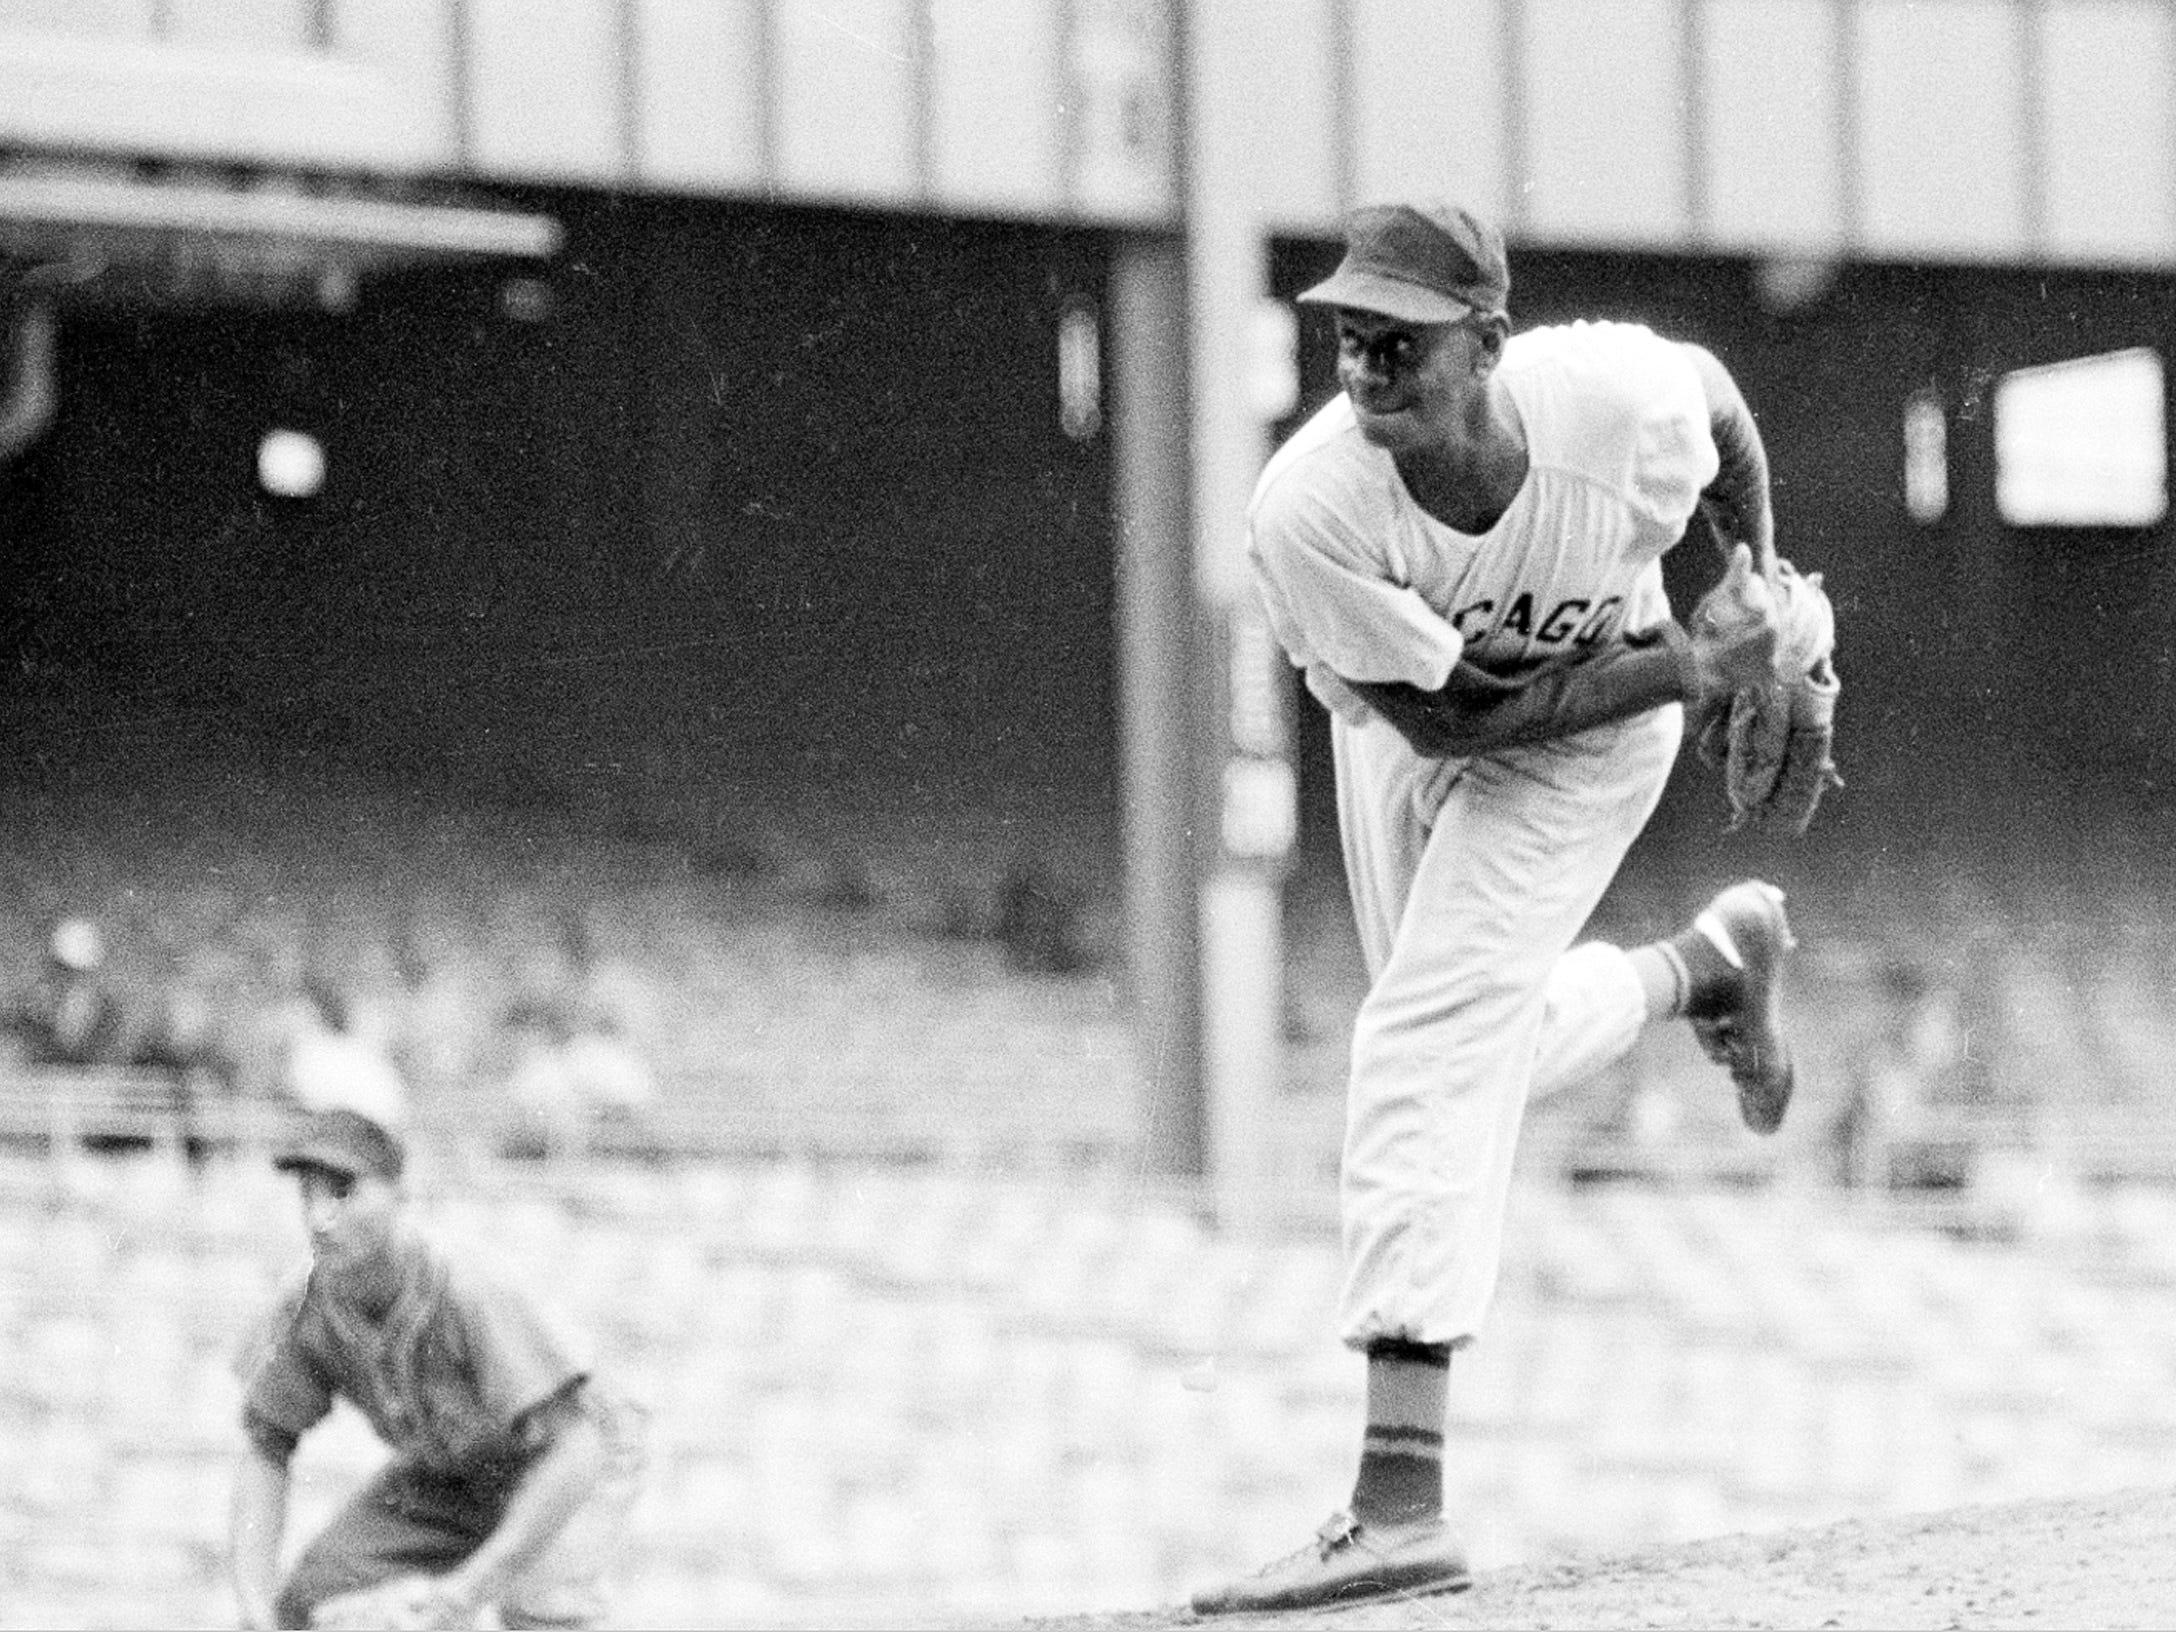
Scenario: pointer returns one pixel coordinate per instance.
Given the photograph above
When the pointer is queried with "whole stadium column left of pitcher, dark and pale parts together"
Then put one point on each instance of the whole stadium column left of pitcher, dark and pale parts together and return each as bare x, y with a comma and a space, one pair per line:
1211, 793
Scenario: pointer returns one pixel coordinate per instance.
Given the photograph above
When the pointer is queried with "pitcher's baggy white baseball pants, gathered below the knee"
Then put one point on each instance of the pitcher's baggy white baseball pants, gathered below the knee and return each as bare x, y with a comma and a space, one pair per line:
1470, 882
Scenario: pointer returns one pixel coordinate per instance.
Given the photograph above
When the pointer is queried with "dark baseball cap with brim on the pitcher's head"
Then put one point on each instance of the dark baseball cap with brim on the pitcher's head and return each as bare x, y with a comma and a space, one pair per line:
1418, 264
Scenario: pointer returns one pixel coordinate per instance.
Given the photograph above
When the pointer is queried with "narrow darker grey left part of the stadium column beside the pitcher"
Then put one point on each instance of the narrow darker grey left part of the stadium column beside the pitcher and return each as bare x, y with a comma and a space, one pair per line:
1159, 689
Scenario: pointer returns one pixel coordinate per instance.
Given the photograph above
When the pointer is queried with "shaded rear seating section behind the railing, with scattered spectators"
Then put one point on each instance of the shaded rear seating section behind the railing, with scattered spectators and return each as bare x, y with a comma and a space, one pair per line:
848, 987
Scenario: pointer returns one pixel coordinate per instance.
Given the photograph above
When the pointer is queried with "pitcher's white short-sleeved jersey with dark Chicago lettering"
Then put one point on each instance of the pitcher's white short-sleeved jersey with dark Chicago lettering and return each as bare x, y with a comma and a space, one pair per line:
1361, 584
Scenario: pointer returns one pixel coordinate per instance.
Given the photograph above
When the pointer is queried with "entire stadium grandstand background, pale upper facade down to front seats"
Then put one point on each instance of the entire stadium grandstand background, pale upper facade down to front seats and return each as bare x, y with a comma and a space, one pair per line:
719, 519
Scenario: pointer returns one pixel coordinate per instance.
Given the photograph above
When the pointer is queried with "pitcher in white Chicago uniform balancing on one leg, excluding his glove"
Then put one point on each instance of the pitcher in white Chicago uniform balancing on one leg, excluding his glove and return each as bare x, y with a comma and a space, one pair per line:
1463, 554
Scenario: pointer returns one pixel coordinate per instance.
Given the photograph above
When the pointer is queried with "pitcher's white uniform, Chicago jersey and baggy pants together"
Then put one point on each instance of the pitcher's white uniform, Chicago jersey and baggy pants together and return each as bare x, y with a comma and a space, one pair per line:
1472, 878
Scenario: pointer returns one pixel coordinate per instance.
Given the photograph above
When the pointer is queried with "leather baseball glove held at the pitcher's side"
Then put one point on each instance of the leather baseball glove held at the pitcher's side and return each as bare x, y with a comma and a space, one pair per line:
1775, 741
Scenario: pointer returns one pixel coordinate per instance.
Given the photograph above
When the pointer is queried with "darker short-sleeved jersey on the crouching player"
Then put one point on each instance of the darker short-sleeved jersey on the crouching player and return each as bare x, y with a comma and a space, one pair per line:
445, 1376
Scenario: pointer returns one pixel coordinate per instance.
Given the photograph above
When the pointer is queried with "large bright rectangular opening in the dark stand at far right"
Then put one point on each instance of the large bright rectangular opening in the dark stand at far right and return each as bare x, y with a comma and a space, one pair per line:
2084, 443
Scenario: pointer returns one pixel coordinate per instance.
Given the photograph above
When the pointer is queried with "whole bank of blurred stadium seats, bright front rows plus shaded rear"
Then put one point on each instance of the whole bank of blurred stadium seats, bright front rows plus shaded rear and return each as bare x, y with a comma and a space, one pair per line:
915, 1324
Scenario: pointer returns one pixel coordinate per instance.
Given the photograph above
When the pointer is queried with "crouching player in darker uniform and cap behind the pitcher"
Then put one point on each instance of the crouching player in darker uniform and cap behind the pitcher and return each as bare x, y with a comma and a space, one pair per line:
512, 1466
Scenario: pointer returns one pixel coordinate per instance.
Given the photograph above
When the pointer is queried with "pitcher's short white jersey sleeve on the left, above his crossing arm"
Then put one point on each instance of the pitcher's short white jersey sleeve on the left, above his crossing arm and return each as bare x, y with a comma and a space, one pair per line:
1335, 602
